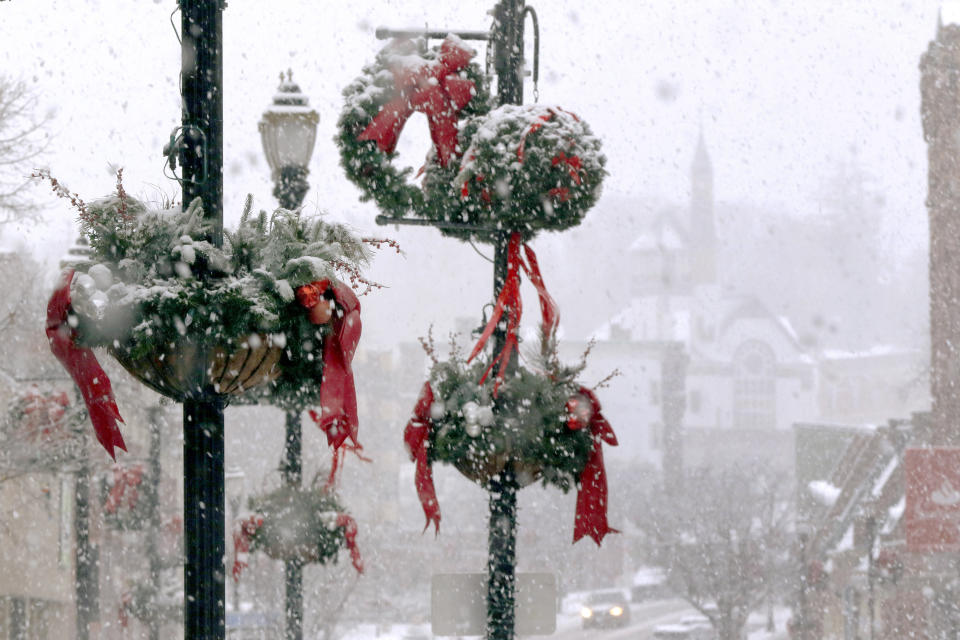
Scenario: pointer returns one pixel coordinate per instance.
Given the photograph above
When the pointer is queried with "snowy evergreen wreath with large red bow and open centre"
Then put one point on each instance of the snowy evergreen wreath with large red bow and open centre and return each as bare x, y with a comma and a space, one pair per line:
408, 77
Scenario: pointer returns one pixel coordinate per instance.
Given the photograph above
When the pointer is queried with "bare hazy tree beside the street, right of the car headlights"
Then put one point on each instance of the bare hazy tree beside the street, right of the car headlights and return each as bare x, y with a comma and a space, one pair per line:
723, 540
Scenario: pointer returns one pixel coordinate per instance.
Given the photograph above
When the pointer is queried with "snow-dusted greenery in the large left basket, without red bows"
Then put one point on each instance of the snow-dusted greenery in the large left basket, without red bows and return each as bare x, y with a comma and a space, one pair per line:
154, 278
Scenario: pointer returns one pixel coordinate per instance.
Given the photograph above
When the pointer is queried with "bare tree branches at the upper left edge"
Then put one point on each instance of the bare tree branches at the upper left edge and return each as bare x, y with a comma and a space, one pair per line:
22, 139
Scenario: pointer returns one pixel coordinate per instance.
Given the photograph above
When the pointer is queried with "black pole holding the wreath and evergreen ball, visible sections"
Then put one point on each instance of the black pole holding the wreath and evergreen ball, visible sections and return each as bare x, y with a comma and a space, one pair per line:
507, 40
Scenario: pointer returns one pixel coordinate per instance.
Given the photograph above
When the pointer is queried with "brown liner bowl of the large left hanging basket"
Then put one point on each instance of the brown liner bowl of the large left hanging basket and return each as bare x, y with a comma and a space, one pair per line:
179, 372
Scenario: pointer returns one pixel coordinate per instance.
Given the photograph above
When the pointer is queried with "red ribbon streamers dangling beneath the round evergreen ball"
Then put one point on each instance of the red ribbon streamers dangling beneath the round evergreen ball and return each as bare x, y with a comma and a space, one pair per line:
509, 301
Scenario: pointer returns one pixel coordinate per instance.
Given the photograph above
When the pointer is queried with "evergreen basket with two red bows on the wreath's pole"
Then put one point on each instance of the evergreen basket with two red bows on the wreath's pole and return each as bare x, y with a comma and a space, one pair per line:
540, 422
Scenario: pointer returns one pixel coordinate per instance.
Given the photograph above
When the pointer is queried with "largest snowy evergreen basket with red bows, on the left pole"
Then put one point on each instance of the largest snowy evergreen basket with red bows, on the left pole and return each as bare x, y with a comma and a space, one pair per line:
266, 310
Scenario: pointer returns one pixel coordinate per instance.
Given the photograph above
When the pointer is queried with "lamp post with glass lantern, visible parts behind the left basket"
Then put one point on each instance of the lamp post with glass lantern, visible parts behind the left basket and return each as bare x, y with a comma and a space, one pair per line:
288, 132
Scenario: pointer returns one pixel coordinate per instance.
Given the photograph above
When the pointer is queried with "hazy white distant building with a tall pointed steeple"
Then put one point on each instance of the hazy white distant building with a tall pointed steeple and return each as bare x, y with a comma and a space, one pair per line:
747, 376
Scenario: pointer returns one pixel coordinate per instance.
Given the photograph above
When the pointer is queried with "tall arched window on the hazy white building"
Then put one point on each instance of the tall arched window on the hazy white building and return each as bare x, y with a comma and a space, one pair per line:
754, 387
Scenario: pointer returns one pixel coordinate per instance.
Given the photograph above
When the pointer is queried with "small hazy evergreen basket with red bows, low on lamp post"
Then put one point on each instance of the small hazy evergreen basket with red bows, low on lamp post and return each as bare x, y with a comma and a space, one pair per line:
294, 524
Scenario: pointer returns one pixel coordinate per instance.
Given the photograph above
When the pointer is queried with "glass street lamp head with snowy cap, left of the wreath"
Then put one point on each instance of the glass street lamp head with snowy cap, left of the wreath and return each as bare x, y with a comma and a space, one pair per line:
288, 132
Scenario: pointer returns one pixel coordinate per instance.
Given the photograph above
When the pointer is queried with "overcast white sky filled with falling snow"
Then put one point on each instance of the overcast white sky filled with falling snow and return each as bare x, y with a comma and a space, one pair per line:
784, 91
